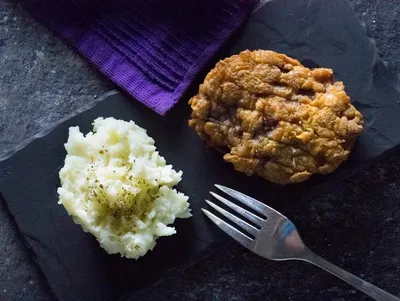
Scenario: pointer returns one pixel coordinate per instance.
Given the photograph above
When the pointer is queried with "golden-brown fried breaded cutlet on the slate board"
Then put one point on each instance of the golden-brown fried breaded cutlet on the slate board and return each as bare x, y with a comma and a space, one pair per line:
273, 117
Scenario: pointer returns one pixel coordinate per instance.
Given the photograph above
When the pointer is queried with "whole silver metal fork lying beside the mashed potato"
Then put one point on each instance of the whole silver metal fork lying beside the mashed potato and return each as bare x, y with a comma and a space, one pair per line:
276, 238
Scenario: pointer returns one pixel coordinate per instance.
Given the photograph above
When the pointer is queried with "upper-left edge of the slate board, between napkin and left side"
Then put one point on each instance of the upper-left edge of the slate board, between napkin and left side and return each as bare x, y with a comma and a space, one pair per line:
50, 128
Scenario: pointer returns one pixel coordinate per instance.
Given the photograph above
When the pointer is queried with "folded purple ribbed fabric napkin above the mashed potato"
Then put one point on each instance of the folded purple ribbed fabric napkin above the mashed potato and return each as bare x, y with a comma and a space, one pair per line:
152, 49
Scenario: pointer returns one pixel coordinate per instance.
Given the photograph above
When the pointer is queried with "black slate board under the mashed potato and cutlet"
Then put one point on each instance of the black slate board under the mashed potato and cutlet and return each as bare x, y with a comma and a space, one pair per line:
324, 33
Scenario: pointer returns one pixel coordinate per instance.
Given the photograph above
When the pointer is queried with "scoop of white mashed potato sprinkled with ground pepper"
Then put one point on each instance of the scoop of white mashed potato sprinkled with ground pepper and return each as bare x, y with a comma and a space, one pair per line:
117, 187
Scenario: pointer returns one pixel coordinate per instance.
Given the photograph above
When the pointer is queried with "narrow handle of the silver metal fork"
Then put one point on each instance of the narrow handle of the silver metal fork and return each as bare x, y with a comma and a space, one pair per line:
364, 286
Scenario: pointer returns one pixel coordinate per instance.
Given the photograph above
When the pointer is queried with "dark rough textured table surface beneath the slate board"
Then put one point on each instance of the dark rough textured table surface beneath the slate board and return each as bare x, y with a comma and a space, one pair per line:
356, 227
